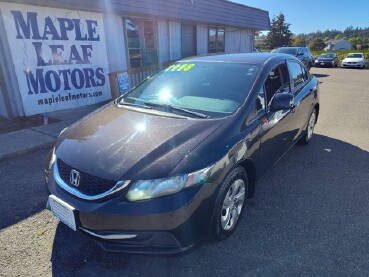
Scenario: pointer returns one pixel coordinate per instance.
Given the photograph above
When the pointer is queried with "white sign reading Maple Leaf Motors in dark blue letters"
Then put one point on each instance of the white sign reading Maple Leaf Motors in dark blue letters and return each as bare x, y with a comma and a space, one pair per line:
59, 56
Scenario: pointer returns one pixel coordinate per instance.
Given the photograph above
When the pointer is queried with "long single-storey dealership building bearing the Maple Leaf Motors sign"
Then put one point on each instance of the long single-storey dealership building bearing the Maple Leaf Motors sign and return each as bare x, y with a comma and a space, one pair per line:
63, 54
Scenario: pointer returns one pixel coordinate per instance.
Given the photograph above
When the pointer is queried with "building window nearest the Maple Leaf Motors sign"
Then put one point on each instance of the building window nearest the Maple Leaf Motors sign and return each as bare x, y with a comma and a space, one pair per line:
141, 41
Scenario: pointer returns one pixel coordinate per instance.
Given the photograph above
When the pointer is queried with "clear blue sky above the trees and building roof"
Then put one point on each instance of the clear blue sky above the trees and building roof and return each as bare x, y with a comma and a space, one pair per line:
311, 15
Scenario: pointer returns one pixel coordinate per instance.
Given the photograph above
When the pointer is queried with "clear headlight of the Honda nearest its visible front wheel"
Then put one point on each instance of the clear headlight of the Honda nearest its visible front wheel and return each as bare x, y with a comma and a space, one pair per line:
146, 189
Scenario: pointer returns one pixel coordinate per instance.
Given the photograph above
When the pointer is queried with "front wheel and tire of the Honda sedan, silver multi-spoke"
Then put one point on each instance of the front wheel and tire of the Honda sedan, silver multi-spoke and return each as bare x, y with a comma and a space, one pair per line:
230, 202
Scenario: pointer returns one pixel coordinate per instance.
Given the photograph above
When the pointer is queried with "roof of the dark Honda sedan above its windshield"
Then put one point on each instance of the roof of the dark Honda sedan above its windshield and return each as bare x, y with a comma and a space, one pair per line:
253, 58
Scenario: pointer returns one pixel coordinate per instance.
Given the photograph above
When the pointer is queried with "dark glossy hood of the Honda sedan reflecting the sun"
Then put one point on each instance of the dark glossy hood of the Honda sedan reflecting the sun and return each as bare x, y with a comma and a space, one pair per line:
123, 144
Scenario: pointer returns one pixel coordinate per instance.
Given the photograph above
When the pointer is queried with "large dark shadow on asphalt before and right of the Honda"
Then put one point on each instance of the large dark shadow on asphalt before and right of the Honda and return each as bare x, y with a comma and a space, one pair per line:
309, 212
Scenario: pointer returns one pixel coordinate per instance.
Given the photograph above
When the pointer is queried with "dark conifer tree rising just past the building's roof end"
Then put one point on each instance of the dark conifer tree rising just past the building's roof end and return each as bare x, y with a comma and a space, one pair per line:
279, 34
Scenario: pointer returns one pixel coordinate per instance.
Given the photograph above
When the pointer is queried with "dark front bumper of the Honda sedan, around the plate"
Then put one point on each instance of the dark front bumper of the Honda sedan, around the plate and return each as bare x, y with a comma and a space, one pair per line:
165, 225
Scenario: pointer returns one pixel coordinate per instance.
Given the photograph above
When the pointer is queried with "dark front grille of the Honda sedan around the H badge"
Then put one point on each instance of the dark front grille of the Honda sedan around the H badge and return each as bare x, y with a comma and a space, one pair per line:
89, 185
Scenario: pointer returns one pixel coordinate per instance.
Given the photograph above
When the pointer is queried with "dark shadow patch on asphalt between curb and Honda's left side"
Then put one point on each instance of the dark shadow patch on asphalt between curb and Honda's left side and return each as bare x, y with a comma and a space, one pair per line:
23, 192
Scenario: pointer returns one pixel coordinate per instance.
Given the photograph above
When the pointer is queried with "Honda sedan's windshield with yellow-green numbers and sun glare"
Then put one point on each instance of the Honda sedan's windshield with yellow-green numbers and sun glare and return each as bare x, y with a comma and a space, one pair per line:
215, 89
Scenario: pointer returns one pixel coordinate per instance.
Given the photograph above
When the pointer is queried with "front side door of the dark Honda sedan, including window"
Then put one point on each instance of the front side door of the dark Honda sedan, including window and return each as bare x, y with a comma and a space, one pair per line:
276, 127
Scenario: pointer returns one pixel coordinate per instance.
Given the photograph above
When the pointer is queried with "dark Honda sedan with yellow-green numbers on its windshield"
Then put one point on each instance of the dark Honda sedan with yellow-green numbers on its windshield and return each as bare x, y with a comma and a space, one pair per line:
175, 159
